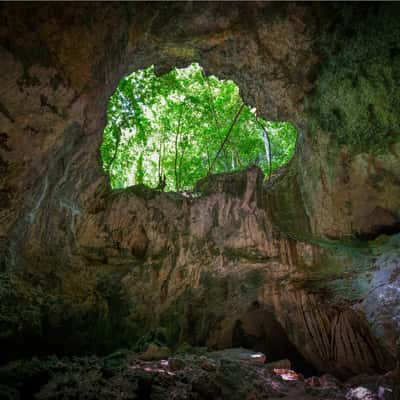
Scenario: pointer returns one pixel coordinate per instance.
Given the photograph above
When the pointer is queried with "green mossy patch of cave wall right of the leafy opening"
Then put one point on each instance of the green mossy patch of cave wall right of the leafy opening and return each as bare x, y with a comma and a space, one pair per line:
357, 97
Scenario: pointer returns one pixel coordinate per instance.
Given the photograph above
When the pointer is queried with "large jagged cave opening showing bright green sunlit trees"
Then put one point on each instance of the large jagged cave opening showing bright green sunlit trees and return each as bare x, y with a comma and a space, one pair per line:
169, 131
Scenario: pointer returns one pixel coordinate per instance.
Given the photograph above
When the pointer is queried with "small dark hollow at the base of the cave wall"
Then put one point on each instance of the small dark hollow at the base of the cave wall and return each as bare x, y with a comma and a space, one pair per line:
258, 330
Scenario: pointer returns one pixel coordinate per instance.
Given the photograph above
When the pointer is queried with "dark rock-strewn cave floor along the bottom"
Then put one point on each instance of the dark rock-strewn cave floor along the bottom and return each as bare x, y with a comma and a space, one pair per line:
234, 374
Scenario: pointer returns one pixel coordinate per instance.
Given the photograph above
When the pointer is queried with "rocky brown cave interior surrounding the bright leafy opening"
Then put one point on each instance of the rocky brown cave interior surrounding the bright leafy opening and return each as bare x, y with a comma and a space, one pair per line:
142, 293
